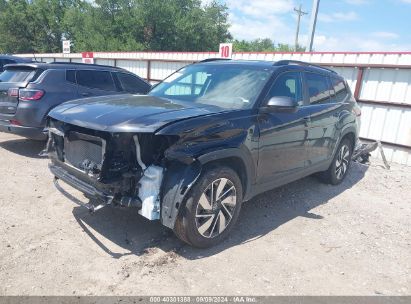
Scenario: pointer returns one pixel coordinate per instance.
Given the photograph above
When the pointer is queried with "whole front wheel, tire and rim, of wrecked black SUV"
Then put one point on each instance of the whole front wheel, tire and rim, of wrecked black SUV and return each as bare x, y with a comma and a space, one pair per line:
211, 208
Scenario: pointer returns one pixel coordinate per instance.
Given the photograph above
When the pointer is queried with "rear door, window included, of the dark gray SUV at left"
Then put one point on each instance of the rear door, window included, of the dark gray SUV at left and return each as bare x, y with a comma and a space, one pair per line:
95, 83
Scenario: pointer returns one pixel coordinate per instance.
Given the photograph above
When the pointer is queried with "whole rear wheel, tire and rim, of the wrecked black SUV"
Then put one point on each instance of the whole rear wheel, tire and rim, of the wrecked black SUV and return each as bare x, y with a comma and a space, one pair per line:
340, 165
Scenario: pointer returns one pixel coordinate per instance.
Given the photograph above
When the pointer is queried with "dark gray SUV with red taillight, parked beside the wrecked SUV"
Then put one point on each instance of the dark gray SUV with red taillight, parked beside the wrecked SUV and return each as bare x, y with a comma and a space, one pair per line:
29, 91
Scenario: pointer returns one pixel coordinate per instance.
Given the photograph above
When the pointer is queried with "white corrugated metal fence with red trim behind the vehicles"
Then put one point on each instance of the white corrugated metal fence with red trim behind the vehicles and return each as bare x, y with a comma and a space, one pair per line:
381, 83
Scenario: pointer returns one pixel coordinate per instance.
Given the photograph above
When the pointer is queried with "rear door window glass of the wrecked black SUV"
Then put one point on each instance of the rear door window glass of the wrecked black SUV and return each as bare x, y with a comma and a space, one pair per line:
318, 88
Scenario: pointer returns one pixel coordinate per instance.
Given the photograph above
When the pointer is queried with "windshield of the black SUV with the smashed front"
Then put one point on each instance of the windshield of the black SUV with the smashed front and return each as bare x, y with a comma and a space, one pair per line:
229, 87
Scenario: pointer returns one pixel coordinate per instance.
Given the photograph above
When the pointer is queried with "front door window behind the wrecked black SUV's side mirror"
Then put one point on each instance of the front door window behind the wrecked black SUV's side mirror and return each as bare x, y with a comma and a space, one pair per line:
287, 85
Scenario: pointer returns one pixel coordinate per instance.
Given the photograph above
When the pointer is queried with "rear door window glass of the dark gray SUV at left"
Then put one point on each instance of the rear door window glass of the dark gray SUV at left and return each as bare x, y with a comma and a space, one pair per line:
96, 80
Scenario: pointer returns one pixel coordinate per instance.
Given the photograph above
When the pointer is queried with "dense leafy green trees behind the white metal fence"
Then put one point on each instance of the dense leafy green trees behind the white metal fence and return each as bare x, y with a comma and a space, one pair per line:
28, 26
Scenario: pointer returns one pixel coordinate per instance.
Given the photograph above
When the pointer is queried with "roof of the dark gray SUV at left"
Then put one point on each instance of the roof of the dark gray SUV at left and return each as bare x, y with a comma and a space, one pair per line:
66, 65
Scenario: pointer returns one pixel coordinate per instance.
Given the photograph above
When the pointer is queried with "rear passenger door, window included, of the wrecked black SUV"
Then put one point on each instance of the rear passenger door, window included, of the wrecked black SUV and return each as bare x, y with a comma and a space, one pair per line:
324, 115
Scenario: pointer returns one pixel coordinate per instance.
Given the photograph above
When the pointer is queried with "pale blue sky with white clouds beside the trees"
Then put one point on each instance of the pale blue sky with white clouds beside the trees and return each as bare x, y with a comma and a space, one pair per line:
343, 25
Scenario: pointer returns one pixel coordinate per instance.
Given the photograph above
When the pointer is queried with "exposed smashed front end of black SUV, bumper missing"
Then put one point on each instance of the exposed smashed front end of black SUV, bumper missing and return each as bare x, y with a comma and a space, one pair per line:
156, 189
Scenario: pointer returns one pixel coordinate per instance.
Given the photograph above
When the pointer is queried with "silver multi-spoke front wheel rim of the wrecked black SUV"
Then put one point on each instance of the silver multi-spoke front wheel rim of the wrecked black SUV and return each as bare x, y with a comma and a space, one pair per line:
215, 207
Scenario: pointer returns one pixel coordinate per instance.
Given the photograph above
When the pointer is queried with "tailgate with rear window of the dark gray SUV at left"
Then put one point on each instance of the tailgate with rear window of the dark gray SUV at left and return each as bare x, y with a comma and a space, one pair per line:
11, 80
